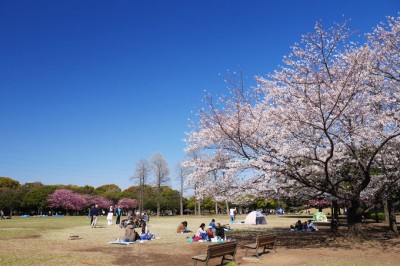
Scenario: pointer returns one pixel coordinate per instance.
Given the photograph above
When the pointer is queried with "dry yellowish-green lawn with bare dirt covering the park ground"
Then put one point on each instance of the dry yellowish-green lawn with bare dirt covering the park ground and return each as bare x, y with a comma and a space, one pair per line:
47, 241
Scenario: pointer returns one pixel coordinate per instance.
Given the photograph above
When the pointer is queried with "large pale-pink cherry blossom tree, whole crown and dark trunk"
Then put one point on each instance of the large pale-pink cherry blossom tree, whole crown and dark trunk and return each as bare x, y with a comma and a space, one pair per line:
317, 124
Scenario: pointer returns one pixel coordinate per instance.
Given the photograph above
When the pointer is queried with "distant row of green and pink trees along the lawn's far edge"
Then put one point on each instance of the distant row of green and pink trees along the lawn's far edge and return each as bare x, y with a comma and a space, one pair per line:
39, 199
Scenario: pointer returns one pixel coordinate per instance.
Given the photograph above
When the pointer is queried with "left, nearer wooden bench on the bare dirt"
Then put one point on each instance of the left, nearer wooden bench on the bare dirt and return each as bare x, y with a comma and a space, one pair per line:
218, 250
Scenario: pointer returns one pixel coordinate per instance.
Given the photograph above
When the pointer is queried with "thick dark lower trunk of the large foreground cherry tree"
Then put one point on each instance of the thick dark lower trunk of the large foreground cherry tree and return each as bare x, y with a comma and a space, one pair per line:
354, 221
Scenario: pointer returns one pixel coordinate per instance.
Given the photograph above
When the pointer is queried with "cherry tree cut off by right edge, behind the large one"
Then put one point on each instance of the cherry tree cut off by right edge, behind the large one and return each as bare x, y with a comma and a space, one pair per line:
385, 43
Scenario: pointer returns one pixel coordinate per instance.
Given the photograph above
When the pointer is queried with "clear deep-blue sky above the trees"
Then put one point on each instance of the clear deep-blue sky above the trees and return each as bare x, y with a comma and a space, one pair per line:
90, 87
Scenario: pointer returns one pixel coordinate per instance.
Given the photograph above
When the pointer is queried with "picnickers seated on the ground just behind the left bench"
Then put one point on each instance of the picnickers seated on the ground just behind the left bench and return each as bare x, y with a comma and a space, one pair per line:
214, 231
